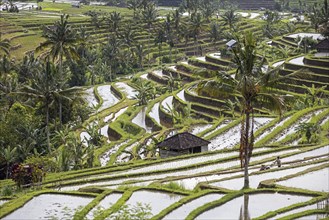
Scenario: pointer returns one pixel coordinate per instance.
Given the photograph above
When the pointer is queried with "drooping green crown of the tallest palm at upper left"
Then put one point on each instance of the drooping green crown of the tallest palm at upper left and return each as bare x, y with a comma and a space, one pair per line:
60, 41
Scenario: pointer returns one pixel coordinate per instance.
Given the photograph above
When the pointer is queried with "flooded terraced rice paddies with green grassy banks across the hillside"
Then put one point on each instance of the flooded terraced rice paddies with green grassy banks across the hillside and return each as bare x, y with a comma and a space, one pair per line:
130, 176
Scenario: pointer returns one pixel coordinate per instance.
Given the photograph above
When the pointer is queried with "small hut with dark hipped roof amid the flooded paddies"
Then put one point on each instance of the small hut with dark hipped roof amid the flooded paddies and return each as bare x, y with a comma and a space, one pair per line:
182, 143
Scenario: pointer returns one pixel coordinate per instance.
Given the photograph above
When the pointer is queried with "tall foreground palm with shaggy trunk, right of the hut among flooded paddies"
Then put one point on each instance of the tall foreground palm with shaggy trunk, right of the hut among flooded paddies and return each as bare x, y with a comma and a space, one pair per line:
254, 87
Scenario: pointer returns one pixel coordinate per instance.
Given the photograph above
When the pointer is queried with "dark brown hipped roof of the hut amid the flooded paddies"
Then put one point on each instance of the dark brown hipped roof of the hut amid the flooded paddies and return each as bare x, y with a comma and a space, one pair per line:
183, 141
